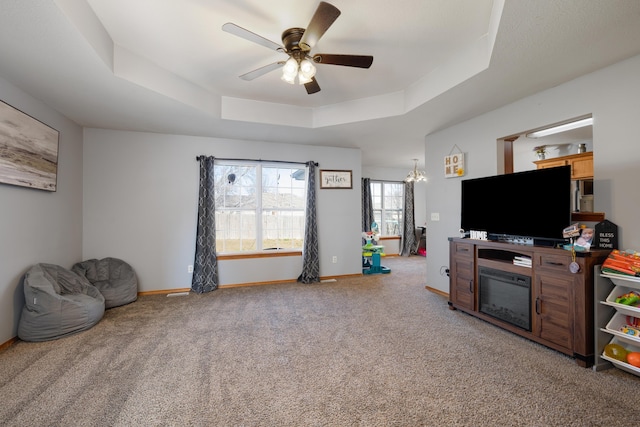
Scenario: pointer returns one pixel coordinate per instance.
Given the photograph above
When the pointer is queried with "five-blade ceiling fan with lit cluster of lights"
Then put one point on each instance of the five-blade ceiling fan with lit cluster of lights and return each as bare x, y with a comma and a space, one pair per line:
298, 43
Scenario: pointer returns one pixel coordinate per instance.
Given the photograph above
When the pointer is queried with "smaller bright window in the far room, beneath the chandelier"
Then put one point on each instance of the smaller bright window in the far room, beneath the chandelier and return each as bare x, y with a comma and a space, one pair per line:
387, 198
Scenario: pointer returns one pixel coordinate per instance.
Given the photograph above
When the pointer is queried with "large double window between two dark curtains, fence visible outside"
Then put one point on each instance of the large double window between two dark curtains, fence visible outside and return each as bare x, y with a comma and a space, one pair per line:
259, 206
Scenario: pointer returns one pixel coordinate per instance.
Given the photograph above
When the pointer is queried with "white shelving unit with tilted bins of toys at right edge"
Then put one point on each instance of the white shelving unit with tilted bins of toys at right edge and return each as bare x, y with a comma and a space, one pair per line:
610, 316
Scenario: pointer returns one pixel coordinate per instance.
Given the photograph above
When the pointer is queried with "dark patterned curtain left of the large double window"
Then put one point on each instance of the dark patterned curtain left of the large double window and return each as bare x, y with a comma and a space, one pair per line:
205, 266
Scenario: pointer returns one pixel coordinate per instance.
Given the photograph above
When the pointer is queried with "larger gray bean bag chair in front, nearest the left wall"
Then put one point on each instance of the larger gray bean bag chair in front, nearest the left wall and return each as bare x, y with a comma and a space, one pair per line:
58, 302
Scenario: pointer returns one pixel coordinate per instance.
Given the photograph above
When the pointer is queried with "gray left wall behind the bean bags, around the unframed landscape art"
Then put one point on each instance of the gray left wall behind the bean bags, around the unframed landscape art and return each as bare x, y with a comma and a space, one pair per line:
38, 226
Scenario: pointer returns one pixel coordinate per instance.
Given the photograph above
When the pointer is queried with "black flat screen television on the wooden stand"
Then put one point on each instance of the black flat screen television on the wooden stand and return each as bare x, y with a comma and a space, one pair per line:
533, 206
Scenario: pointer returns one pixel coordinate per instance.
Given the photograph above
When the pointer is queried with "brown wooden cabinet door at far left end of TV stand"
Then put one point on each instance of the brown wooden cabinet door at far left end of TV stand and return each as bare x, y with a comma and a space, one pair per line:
461, 275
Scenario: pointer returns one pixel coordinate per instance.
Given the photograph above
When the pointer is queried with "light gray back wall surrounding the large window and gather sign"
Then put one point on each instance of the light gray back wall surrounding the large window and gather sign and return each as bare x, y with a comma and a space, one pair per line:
140, 201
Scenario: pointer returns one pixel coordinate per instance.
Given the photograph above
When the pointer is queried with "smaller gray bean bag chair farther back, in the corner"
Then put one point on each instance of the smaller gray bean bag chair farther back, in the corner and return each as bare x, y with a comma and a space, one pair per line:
114, 278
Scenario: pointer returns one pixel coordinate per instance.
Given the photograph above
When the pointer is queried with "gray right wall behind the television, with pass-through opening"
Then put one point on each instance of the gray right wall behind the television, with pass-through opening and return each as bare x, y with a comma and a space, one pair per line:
612, 95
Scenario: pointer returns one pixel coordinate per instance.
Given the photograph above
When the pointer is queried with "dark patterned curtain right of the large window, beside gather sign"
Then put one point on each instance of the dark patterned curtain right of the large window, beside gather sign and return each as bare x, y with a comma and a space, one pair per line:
310, 262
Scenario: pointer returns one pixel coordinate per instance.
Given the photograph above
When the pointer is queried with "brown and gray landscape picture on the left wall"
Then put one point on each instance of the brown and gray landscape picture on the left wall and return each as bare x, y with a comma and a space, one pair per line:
28, 150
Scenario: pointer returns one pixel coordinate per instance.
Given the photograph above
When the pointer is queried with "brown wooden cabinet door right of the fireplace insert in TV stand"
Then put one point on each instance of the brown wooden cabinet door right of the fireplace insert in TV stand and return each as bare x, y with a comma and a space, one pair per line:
553, 308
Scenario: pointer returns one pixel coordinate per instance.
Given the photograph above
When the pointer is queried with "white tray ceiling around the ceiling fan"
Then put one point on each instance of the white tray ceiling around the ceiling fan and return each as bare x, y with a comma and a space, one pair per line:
166, 66
